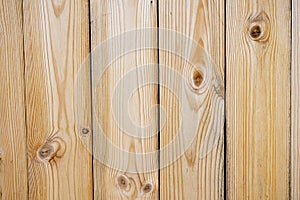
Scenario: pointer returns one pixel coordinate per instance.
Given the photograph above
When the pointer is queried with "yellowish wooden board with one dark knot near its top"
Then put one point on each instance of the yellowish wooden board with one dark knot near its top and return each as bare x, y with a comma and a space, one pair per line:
258, 99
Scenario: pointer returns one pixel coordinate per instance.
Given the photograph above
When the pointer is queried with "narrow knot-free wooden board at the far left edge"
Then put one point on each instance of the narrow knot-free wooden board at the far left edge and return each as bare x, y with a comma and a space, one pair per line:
13, 171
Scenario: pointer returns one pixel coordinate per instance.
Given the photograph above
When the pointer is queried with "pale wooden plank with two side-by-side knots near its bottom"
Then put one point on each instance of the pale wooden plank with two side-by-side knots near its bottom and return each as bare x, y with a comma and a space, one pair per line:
117, 176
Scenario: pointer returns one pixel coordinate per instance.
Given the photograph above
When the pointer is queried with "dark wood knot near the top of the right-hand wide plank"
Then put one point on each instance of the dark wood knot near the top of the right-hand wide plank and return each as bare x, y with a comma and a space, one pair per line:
259, 27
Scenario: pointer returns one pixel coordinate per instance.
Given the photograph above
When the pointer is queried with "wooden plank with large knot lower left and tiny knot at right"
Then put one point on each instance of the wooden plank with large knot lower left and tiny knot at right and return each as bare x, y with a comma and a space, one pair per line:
56, 44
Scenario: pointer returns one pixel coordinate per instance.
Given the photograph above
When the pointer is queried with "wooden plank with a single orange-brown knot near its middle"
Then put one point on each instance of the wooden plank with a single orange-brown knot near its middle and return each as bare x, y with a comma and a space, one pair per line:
193, 101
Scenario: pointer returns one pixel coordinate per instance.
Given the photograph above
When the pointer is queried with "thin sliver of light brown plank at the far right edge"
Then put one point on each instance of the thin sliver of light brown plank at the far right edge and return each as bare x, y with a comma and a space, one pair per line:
295, 107
